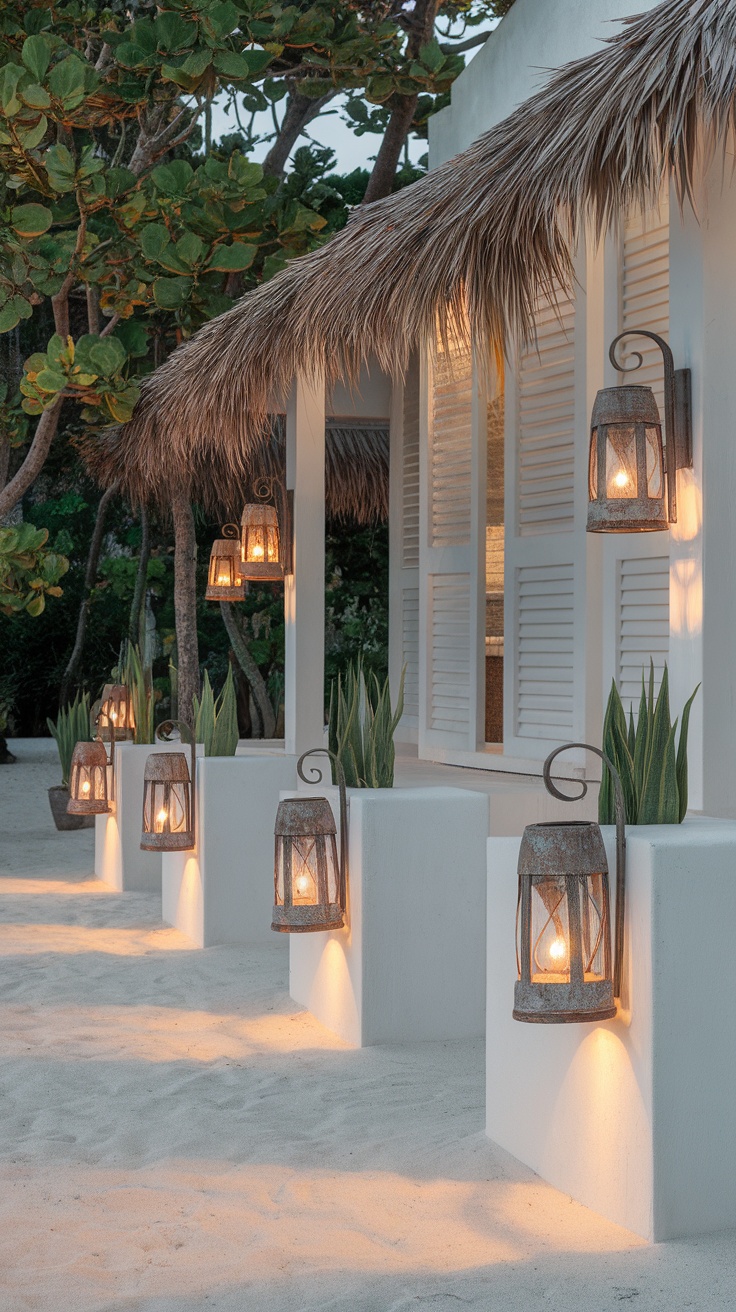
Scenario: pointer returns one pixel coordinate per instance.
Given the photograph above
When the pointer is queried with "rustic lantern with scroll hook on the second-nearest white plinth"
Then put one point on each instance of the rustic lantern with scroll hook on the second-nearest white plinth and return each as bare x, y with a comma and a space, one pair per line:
310, 877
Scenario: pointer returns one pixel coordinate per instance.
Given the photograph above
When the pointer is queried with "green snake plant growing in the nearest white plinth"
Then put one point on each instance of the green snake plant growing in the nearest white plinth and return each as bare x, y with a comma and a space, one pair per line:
653, 769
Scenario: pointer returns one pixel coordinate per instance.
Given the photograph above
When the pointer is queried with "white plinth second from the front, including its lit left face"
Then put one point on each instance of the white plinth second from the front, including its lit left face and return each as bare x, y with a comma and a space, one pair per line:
410, 964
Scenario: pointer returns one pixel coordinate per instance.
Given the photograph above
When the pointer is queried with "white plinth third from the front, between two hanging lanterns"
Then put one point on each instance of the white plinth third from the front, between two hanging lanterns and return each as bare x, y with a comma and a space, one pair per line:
222, 892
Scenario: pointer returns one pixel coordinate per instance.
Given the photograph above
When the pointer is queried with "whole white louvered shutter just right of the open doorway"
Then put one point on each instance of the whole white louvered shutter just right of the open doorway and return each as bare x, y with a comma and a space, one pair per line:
544, 672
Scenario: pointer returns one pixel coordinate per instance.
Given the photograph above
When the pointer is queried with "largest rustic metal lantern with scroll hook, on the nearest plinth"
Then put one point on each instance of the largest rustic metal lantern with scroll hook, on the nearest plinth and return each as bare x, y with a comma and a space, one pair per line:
563, 916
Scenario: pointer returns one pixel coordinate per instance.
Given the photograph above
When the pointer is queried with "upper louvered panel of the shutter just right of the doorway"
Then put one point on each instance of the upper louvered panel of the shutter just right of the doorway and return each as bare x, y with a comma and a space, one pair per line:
546, 424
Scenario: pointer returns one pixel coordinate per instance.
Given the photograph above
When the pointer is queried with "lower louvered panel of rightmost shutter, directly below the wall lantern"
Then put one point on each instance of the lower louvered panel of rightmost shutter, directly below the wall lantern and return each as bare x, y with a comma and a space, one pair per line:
644, 624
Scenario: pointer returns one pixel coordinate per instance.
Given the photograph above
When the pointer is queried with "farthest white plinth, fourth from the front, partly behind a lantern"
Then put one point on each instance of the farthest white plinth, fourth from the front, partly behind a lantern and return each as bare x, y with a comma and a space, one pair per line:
119, 859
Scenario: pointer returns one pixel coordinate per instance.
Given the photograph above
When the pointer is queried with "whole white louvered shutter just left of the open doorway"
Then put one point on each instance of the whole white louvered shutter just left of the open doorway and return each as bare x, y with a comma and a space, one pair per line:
452, 613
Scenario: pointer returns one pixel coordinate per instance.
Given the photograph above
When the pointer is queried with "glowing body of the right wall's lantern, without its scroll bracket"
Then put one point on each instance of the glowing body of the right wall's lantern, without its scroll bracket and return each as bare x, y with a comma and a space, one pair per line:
626, 473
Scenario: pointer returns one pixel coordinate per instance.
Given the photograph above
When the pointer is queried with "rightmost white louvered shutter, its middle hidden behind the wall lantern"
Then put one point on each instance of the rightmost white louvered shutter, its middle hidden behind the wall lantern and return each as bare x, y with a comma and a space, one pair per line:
637, 566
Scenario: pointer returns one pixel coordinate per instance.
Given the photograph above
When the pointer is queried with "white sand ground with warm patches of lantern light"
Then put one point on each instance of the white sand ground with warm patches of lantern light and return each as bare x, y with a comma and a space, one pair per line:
175, 1134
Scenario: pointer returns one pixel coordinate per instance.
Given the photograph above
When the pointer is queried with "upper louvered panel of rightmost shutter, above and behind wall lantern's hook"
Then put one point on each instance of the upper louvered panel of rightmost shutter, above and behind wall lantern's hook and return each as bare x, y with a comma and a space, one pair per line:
645, 293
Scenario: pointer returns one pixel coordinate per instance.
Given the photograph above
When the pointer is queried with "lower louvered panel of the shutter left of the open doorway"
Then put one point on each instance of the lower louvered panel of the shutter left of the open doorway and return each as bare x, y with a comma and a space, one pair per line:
449, 682
